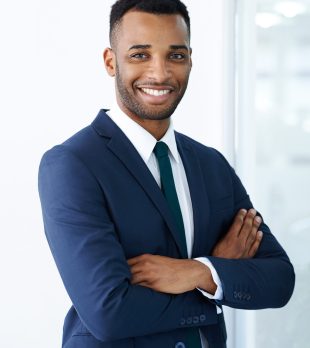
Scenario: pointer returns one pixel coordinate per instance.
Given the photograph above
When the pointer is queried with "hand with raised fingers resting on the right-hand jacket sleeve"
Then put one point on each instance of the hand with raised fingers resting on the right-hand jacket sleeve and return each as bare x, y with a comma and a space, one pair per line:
243, 238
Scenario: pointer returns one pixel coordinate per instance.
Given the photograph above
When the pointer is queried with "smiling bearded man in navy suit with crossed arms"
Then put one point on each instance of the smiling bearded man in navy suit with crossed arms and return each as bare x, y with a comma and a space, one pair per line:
151, 231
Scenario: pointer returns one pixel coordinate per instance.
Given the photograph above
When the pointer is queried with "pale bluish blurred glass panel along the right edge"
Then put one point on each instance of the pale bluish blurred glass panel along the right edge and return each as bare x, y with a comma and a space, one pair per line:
282, 123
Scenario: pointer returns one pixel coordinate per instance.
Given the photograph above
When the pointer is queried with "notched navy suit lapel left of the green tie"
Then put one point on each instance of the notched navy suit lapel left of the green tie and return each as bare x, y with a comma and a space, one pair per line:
123, 149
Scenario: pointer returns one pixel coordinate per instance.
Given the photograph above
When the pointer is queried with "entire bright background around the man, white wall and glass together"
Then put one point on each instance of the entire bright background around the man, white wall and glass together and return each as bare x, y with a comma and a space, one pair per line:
248, 97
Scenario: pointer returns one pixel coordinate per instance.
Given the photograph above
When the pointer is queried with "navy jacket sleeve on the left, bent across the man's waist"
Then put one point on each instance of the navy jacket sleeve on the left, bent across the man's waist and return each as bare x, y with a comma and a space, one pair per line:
92, 263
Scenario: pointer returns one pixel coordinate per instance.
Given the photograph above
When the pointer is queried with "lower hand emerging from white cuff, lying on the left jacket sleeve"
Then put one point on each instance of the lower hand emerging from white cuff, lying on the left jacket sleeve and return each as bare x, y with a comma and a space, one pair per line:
168, 275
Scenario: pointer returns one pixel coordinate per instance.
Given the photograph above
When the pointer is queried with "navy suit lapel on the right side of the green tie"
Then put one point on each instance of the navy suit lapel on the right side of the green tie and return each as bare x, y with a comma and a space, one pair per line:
199, 197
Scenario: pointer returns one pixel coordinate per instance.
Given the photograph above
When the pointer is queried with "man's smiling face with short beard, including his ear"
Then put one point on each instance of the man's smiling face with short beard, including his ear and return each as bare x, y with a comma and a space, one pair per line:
151, 60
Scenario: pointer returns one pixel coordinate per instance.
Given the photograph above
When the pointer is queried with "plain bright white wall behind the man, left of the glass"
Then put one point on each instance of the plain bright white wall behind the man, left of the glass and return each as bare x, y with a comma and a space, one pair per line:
52, 84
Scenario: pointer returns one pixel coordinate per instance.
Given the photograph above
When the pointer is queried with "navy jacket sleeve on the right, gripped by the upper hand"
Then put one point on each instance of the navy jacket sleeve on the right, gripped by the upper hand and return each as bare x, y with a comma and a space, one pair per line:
265, 281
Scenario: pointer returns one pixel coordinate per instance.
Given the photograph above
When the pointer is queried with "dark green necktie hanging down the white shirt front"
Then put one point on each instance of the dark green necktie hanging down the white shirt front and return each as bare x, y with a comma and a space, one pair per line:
170, 193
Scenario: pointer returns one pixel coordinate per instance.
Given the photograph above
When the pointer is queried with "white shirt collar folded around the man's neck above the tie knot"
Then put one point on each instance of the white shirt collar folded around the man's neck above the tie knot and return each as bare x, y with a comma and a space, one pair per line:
142, 140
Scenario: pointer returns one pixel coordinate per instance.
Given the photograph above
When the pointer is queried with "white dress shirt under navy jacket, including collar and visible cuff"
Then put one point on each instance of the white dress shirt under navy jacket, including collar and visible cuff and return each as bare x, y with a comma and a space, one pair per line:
144, 143
